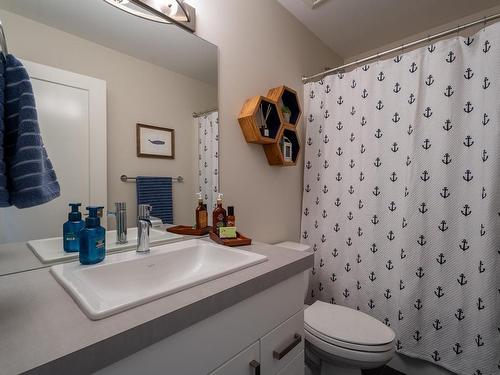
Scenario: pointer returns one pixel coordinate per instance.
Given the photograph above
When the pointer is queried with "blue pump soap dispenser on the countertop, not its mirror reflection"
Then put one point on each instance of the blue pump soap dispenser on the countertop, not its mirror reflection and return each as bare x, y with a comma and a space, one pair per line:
92, 238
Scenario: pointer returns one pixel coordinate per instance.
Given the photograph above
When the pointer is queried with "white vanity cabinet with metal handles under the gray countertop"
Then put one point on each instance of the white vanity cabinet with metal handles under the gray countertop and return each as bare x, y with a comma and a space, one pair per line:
261, 335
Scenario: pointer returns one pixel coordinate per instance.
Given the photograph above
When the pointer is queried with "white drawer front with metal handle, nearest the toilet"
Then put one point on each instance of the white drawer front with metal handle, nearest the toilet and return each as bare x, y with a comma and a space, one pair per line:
282, 344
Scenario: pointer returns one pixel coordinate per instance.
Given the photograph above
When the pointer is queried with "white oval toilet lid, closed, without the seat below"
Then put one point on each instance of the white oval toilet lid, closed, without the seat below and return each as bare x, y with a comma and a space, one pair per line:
347, 325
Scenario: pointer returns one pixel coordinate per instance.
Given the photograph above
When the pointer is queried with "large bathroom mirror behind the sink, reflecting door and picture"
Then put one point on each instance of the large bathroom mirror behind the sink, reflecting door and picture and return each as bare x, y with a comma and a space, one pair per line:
97, 72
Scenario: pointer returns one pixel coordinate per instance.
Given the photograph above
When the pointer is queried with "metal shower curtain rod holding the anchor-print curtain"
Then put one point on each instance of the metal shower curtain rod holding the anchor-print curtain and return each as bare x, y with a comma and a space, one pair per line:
401, 48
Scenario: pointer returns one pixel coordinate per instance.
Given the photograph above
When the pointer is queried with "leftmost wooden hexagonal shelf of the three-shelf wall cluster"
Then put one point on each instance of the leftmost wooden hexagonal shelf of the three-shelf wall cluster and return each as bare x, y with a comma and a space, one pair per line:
251, 120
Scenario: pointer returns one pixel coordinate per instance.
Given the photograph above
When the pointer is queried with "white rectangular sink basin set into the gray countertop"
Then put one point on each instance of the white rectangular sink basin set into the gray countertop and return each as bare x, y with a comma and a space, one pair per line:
125, 280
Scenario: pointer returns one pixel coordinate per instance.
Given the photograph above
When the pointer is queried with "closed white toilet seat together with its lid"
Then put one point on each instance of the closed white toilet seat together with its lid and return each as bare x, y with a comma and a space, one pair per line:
357, 331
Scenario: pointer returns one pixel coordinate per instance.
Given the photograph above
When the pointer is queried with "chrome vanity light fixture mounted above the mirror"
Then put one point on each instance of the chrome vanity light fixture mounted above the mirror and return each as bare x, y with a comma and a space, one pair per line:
164, 11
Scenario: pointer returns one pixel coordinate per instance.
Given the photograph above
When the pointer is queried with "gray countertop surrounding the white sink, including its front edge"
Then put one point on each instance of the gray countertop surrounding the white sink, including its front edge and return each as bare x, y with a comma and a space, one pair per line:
43, 331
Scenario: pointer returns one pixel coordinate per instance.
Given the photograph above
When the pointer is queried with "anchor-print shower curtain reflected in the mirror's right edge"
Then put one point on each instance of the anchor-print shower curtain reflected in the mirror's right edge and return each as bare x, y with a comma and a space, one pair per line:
208, 159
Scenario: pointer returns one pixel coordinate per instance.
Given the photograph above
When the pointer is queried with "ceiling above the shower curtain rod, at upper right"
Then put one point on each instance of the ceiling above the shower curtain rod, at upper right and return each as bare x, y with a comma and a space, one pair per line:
351, 27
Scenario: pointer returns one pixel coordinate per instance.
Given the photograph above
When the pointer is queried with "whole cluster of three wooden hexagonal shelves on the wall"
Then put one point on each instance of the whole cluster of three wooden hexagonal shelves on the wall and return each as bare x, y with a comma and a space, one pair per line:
272, 121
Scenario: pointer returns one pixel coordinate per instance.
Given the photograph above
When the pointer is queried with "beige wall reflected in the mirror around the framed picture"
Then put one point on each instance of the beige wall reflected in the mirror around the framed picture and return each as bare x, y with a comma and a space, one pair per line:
137, 91
